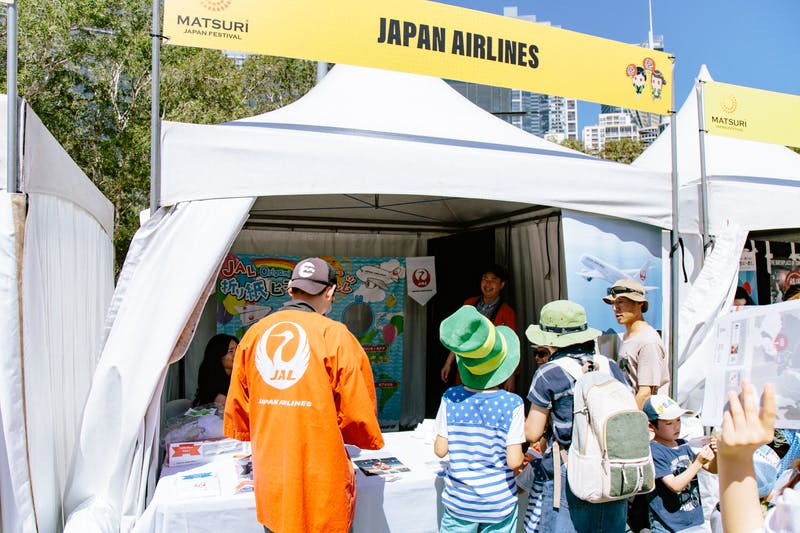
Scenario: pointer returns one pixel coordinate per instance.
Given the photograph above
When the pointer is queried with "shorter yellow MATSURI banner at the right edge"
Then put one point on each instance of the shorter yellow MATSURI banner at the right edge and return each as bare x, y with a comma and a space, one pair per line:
751, 114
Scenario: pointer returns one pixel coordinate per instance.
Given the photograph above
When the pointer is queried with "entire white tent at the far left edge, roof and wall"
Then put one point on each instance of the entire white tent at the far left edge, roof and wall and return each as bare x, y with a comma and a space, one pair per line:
56, 279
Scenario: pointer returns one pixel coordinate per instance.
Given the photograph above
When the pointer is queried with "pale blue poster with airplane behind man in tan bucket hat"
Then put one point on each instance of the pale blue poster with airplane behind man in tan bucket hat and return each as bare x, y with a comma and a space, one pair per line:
599, 251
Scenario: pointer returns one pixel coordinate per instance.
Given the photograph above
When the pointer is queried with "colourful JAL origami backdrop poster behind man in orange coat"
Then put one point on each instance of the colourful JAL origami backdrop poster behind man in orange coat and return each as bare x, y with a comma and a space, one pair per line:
369, 300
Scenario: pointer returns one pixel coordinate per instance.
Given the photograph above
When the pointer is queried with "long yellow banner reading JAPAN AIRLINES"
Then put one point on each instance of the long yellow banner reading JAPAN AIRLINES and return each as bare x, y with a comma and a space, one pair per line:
430, 38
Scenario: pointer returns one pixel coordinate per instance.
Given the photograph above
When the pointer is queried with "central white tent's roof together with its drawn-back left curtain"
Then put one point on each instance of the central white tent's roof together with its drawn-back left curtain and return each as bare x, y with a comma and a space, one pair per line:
364, 149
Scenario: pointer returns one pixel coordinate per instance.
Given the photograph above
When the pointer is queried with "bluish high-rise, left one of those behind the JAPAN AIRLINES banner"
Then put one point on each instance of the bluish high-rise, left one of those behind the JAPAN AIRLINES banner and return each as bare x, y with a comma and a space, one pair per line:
552, 117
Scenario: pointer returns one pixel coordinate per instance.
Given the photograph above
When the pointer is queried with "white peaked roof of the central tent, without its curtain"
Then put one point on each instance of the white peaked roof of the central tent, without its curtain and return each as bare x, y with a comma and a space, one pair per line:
366, 131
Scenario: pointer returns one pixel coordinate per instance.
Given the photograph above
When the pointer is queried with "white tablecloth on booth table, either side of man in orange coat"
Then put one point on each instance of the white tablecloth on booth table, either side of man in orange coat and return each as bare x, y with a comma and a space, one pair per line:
407, 502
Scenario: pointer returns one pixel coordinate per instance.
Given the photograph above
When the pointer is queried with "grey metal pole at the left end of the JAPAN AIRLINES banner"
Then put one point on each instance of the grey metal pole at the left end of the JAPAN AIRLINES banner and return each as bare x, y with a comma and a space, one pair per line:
155, 118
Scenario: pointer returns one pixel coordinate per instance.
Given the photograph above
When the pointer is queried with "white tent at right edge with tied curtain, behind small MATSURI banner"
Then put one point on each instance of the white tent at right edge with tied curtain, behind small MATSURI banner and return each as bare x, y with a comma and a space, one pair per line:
752, 186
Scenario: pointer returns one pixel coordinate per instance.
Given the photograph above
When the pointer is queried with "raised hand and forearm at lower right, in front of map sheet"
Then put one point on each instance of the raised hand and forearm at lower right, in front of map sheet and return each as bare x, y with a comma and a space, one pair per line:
744, 429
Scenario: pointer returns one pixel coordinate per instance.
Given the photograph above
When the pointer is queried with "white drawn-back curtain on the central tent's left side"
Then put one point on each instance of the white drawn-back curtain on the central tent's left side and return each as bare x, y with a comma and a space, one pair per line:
164, 281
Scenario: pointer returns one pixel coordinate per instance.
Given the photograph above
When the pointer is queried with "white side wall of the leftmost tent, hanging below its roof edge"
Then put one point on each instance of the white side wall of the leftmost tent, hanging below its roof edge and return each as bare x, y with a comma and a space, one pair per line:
67, 284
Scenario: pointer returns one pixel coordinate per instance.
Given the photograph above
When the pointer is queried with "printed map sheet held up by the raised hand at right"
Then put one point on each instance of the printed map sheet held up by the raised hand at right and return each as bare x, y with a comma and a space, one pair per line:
761, 344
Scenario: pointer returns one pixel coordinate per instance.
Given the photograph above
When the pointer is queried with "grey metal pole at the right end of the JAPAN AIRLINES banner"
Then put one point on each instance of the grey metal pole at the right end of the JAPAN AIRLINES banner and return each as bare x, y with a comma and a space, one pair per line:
674, 250
